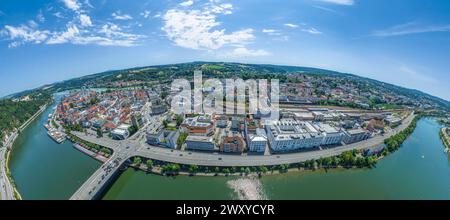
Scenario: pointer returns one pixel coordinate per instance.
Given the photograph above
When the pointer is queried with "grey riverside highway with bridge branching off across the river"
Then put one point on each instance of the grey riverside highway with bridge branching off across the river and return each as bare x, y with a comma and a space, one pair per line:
136, 146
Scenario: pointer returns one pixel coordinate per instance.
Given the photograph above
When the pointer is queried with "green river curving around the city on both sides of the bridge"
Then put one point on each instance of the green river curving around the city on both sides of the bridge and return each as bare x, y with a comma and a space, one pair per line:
43, 169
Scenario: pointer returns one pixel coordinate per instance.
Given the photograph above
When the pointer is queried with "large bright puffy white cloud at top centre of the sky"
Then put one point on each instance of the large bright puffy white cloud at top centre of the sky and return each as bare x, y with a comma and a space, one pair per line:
197, 29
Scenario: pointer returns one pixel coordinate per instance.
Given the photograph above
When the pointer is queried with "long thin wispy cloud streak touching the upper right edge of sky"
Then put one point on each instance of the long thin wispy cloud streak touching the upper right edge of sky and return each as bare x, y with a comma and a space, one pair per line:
410, 28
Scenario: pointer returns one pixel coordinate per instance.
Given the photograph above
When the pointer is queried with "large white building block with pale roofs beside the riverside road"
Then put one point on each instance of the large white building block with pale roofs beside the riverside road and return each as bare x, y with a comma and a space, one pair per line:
290, 135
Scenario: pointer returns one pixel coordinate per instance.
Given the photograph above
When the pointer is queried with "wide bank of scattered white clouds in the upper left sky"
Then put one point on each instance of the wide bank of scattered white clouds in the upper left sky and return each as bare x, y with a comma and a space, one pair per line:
79, 30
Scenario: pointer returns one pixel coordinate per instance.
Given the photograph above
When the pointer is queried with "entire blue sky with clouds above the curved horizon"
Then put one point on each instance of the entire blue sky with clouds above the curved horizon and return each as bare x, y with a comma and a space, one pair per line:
405, 42
